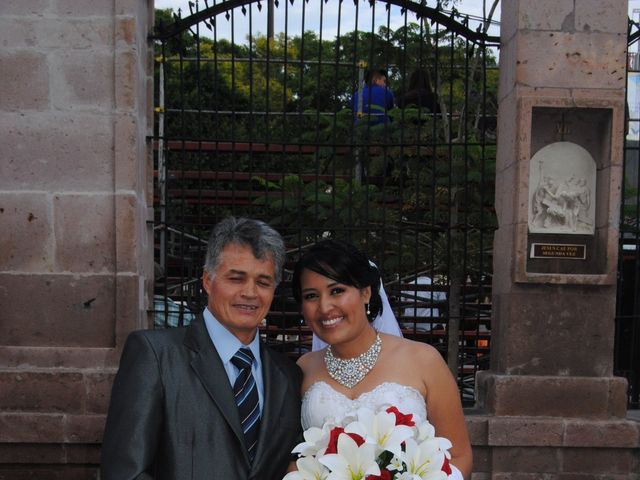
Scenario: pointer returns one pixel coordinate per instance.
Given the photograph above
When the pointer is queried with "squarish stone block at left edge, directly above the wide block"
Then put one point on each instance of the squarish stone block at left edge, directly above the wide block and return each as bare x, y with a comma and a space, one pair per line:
26, 235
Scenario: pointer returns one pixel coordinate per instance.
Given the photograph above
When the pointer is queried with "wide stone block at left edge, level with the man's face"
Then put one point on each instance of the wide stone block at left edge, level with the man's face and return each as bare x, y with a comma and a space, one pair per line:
63, 311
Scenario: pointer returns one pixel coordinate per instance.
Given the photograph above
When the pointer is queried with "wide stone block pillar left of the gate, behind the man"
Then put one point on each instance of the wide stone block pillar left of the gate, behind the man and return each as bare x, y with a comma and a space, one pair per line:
75, 202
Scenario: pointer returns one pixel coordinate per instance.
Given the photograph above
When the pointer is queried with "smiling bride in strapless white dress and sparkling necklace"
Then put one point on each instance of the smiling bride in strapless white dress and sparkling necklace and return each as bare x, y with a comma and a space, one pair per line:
333, 283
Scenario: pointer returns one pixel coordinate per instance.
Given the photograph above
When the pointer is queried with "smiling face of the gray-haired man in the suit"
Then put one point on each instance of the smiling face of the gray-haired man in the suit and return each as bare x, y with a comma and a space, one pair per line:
241, 290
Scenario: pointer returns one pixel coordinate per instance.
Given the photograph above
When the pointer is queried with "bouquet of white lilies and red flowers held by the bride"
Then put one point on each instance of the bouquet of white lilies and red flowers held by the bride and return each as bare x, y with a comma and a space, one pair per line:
373, 445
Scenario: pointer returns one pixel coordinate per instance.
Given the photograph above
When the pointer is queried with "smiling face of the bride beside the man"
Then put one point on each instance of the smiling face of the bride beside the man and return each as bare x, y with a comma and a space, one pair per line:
334, 311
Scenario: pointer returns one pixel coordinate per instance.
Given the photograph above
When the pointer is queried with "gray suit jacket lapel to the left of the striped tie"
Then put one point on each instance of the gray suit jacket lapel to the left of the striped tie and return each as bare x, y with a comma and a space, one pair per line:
208, 367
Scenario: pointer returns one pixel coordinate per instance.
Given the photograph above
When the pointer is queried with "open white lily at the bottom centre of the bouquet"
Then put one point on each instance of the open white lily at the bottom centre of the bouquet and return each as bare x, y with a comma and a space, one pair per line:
351, 462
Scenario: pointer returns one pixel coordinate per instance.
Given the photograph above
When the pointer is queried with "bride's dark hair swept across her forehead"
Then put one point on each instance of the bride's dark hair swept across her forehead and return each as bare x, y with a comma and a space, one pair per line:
343, 263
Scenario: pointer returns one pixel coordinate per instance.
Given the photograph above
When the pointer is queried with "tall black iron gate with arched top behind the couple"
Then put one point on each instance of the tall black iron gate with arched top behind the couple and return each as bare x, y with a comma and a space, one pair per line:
265, 126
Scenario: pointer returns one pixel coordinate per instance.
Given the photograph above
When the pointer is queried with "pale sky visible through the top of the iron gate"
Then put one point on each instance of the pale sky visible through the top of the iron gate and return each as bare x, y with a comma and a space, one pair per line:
366, 17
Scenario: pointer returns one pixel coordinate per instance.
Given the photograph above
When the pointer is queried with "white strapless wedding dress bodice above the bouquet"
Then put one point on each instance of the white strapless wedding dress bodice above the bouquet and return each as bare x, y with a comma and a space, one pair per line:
321, 403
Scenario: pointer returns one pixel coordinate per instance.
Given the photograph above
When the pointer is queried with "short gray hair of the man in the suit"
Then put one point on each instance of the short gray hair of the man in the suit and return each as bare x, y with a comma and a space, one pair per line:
263, 240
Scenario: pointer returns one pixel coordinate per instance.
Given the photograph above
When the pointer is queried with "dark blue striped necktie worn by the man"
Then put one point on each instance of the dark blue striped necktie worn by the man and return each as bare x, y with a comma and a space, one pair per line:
246, 393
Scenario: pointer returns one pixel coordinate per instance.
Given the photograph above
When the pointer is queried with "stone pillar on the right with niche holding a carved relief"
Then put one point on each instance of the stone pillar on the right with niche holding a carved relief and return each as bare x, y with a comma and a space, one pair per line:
552, 405
